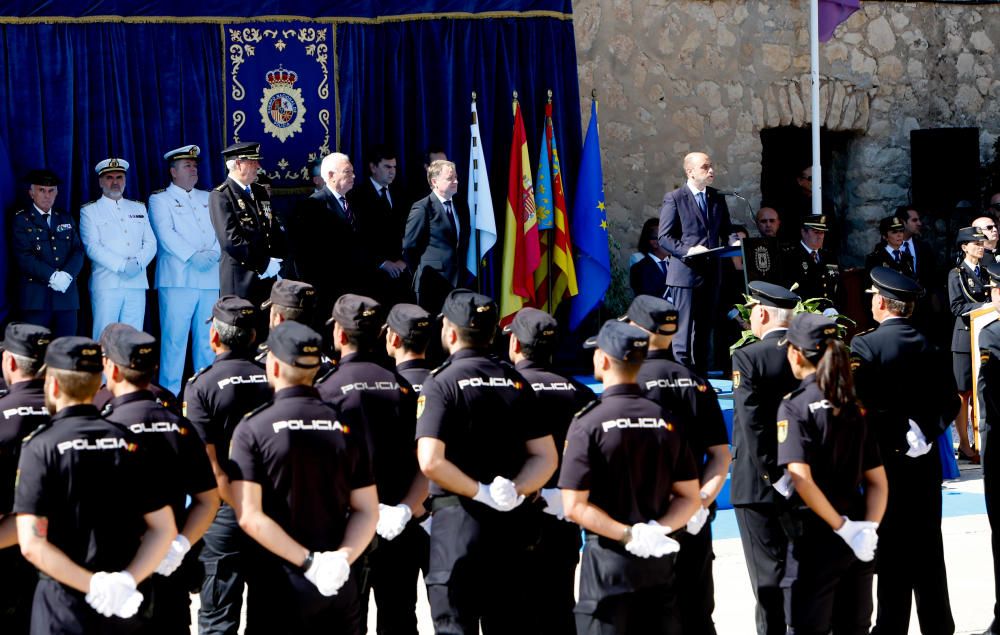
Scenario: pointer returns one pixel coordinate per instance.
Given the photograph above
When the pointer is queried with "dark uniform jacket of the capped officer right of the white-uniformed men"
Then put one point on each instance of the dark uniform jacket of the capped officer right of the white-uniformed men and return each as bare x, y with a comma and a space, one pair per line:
249, 234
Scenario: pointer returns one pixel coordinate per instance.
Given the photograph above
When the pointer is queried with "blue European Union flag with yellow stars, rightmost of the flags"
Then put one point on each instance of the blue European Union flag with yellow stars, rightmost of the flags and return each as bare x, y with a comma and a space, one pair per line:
590, 228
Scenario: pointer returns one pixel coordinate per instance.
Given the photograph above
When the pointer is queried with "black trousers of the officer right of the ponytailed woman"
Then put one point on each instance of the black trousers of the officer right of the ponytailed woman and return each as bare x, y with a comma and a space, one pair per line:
910, 559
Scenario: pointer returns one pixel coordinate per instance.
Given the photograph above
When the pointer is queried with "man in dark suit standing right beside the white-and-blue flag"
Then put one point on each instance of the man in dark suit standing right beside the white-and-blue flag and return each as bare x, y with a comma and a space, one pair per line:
436, 239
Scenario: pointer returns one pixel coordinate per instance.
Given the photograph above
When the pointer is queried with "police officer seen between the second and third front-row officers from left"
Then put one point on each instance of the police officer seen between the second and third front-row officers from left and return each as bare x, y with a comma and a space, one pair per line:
385, 402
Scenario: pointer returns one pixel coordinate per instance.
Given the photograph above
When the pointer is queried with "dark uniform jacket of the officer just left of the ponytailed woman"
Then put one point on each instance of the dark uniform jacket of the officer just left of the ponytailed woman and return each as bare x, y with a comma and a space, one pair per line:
761, 378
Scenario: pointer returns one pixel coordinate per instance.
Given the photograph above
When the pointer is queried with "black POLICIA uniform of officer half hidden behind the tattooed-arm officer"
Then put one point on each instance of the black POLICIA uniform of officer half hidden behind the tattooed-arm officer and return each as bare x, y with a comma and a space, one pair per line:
181, 456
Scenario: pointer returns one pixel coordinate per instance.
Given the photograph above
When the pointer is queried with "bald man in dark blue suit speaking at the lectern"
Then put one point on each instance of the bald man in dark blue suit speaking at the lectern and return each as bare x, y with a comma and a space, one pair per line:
694, 218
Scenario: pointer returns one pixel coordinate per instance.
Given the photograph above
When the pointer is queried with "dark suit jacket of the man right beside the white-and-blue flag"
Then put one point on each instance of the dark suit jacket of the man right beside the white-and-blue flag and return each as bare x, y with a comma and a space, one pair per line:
432, 249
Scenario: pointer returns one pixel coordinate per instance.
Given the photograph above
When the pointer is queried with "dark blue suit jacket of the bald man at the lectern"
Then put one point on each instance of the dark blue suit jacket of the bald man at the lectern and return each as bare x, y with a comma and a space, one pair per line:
682, 226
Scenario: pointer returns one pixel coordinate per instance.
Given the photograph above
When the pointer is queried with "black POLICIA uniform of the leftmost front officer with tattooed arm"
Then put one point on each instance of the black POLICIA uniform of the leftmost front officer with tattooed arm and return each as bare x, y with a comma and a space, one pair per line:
94, 483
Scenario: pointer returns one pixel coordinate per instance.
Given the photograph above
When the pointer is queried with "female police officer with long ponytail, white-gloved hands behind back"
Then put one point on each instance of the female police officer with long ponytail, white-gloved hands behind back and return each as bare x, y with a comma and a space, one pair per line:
829, 451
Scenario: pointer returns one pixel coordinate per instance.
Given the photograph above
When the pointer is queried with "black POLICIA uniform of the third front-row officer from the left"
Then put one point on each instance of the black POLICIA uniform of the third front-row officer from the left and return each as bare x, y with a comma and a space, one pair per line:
484, 411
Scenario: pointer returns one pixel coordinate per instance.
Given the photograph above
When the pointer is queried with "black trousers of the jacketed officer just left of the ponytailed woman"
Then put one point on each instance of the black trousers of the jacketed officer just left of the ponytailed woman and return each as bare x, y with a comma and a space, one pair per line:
765, 546
